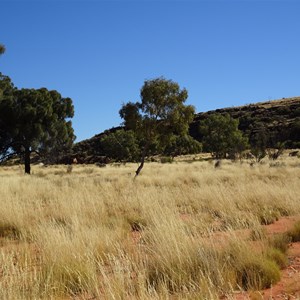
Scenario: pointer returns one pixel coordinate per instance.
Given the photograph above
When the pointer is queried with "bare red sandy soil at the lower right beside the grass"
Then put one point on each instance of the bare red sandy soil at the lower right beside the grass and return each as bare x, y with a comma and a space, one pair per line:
289, 285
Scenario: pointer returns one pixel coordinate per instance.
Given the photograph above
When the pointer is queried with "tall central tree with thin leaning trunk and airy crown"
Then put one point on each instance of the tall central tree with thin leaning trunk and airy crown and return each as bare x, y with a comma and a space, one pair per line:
160, 115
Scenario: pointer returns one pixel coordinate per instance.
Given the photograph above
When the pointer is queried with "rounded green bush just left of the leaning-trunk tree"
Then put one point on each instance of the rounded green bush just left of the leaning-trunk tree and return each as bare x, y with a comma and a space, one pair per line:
121, 145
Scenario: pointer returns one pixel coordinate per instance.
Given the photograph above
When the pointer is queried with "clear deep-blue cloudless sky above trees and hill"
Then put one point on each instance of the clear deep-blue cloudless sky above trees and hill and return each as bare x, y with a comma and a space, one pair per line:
99, 53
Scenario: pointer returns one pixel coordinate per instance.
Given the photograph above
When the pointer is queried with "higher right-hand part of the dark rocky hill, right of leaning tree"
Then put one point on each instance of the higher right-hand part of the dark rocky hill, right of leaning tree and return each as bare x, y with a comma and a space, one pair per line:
280, 119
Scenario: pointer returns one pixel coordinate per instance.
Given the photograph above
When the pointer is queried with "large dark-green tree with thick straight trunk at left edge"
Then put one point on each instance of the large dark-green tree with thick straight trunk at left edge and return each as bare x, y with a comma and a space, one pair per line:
33, 121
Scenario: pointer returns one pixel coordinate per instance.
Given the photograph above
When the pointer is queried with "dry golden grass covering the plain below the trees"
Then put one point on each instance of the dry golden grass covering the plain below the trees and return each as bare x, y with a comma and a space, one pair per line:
95, 233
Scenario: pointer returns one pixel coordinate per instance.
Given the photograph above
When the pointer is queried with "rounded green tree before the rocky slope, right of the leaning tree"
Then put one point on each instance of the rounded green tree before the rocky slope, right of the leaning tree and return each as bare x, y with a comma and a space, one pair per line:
221, 136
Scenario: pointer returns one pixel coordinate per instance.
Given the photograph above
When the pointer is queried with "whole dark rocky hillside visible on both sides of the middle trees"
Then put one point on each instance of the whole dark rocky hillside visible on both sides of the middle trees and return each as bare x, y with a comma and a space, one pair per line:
280, 120
